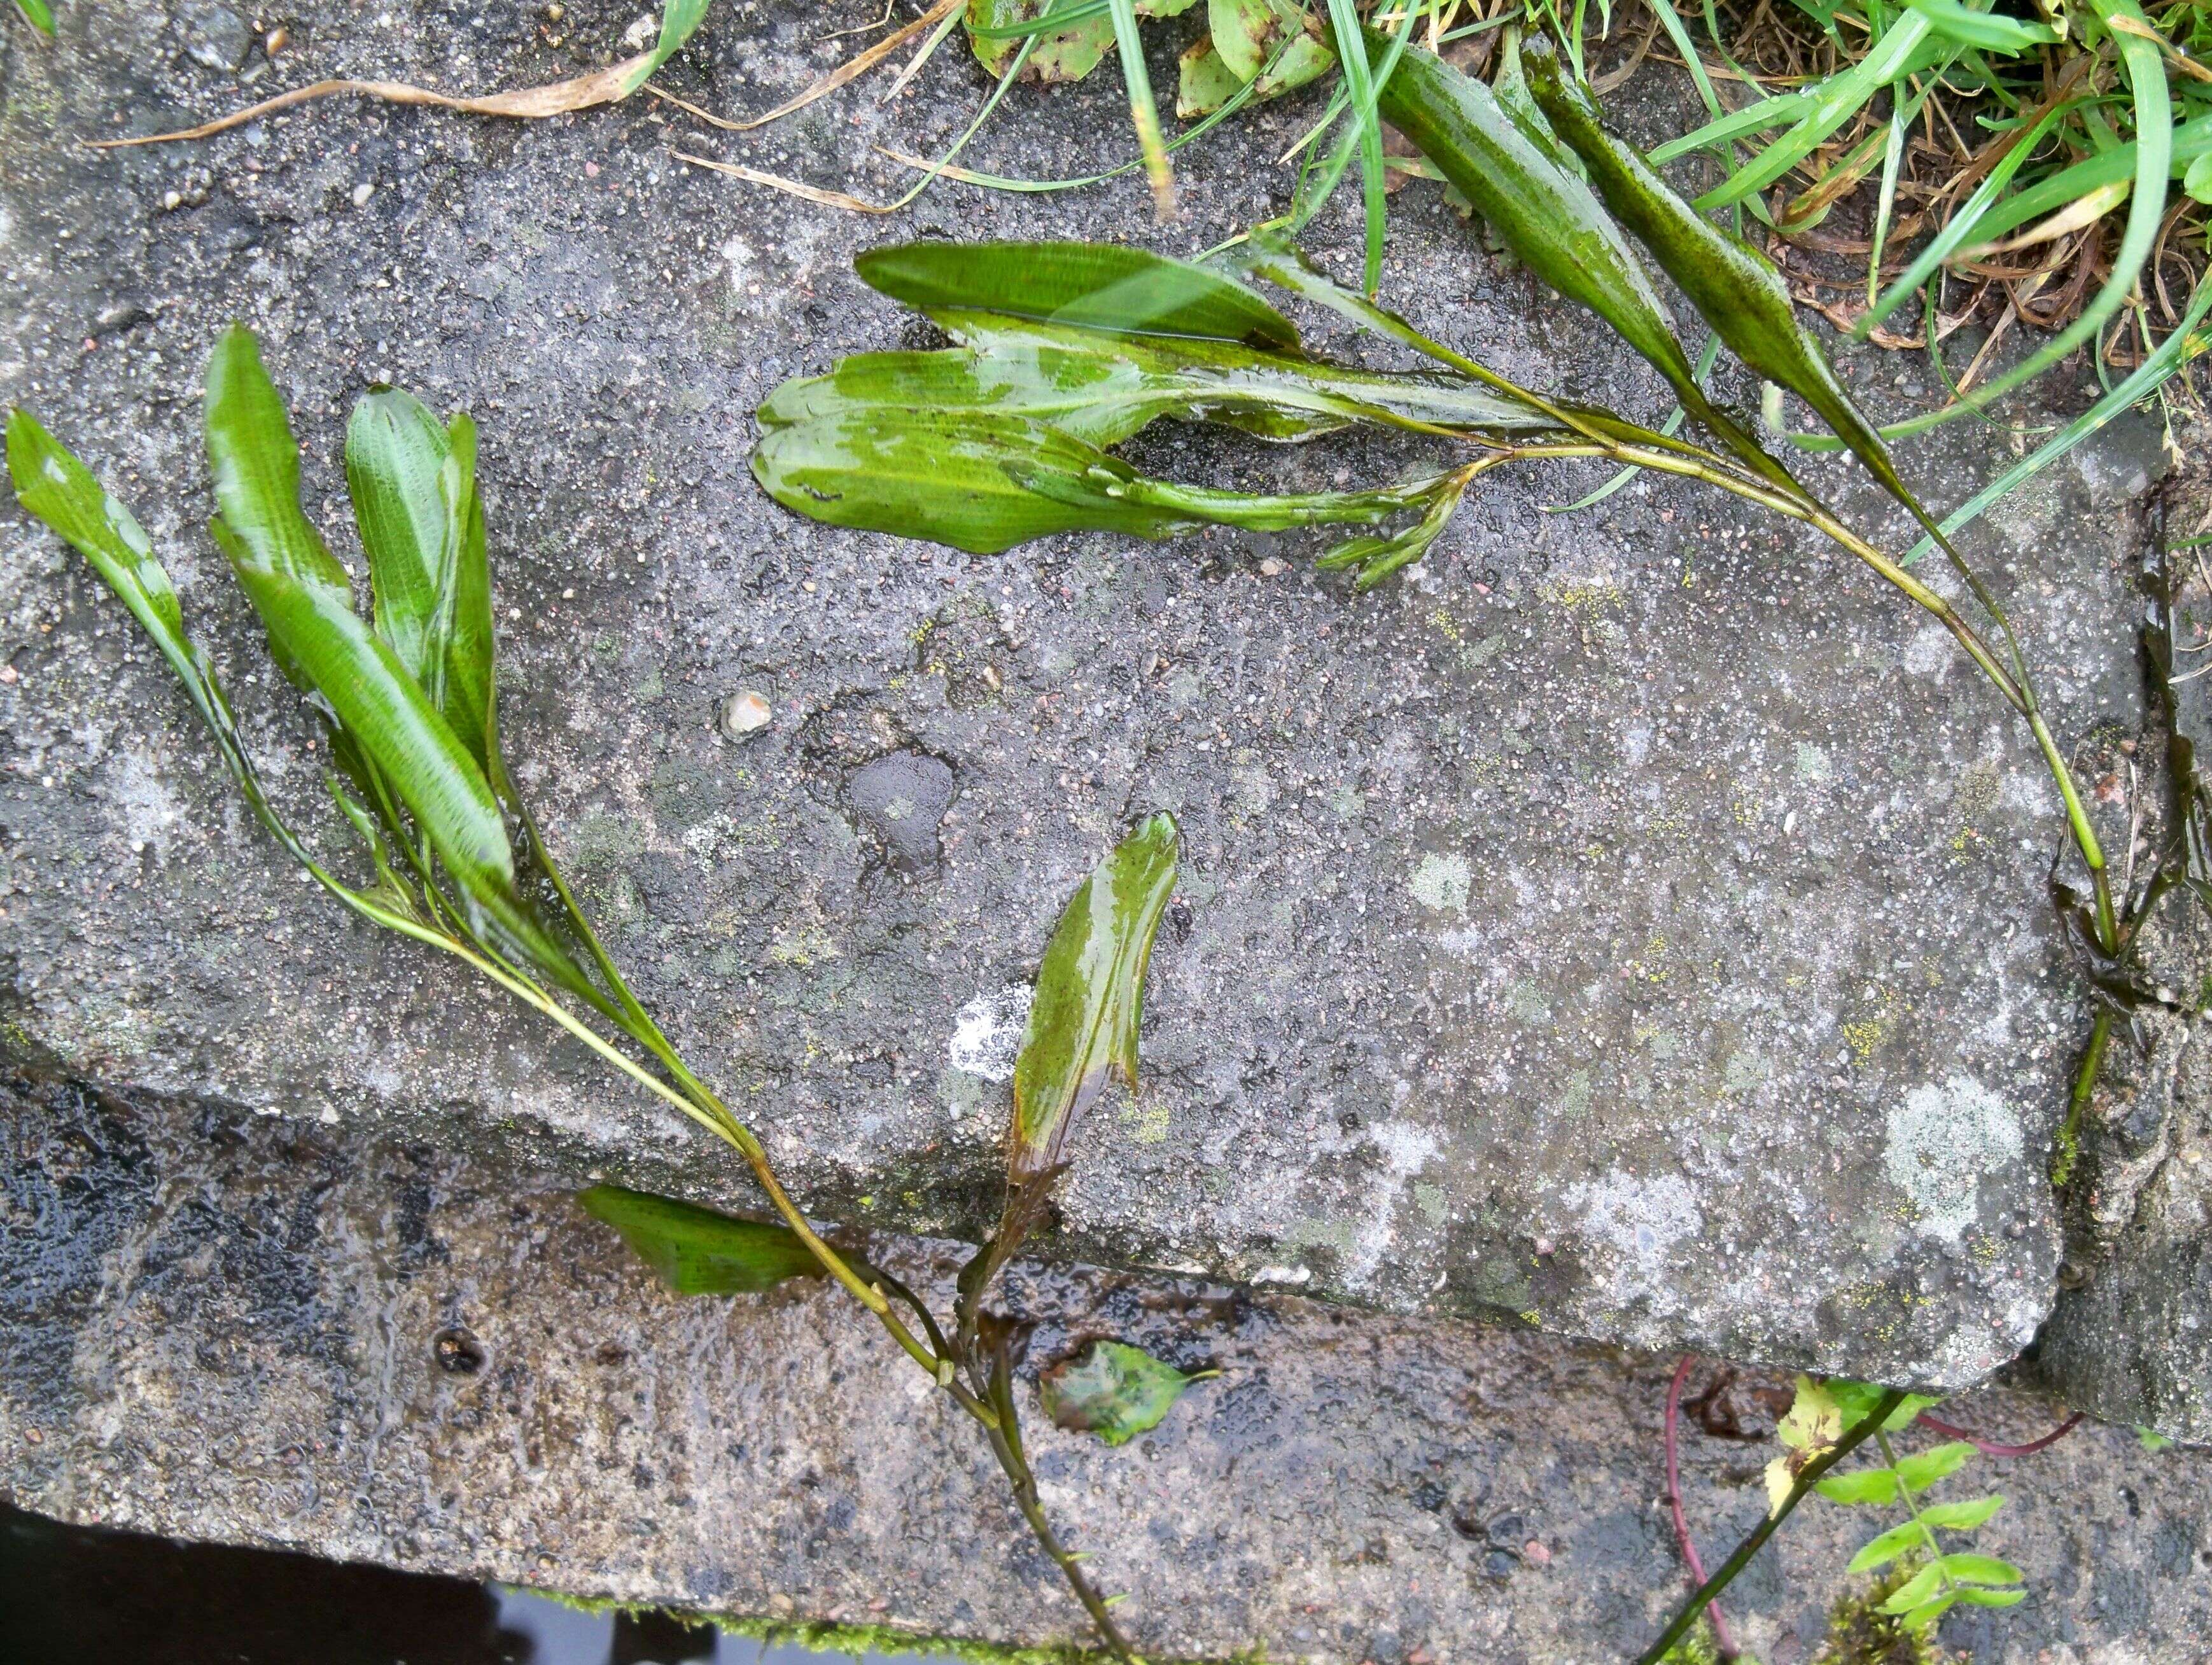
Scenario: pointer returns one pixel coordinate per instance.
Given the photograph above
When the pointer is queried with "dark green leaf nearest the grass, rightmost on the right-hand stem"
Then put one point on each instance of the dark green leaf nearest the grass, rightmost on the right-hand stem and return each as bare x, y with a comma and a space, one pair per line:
1729, 282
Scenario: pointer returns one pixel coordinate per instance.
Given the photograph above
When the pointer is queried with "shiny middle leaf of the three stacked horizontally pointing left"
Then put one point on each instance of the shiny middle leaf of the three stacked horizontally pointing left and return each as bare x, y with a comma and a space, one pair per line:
1107, 388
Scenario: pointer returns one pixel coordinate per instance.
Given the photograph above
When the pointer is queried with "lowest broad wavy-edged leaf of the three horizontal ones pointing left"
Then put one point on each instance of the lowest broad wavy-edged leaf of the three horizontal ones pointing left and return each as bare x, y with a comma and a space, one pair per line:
988, 483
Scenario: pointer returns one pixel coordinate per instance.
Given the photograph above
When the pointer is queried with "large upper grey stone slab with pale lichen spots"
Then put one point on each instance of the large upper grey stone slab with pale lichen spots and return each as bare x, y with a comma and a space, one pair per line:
1636, 921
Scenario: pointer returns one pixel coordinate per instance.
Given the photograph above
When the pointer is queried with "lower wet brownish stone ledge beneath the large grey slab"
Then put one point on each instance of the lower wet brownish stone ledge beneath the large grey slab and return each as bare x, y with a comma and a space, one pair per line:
247, 1330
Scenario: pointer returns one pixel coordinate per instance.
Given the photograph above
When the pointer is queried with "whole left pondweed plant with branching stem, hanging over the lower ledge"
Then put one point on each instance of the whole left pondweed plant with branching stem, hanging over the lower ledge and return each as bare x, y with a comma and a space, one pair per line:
408, 709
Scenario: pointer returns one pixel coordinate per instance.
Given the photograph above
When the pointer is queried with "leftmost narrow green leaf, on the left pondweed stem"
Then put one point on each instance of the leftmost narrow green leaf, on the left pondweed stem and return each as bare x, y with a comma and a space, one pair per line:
56, 488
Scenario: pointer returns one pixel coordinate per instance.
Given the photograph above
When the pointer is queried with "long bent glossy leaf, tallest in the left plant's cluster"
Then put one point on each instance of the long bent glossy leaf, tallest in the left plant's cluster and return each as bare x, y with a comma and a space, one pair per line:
326, 647
